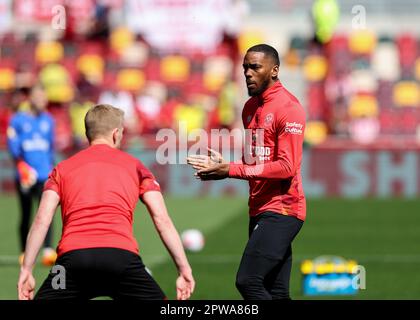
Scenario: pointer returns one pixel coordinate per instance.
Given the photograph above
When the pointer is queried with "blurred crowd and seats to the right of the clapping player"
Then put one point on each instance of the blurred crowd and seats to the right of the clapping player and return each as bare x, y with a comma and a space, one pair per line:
360, 85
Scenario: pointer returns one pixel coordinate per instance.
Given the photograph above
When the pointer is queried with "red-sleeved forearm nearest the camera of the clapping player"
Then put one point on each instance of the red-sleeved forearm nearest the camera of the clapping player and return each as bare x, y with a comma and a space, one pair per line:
279, 169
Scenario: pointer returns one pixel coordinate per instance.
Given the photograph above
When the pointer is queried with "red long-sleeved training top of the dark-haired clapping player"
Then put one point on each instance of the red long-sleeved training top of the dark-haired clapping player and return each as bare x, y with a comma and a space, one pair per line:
274, 178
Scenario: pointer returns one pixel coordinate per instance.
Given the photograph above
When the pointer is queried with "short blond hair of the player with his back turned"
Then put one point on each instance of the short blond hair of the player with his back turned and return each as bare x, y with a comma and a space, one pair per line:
101, 119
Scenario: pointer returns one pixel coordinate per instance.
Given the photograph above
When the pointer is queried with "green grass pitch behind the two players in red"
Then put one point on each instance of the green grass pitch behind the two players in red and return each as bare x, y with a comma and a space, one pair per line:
382, 235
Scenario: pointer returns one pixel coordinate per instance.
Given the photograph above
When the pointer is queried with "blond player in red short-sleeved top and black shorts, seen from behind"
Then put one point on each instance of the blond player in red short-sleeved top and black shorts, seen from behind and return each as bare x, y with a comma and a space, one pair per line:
98, 189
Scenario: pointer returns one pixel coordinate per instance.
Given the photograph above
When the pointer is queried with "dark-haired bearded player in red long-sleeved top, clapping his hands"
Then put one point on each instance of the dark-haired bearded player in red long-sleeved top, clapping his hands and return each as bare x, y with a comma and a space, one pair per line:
271, 163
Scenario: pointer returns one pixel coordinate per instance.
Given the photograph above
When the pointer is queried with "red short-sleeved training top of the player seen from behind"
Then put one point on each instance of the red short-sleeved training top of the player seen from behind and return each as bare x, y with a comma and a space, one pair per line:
99, 188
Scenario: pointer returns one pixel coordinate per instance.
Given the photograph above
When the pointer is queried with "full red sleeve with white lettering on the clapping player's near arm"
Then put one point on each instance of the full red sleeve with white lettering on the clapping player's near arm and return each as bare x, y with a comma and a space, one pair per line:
290, 132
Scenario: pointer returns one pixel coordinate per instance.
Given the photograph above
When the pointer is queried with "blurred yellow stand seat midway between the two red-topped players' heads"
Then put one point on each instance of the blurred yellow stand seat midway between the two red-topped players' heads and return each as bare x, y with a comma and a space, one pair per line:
174, 69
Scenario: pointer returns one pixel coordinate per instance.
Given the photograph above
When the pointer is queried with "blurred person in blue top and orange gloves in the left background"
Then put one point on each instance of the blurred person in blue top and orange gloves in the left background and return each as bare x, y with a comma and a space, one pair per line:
30, 139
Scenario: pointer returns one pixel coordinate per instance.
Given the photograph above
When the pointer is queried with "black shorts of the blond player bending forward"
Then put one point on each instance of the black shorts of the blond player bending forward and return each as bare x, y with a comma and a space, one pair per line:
89, 273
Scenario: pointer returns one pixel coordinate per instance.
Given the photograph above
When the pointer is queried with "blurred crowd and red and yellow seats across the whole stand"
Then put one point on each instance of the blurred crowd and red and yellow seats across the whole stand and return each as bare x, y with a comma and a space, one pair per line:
359, 85
